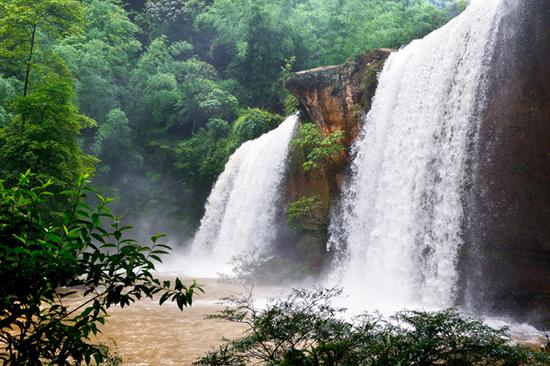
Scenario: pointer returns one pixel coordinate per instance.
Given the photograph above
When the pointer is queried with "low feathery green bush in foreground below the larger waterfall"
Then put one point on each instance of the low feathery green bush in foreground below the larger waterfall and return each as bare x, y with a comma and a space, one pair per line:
305, 329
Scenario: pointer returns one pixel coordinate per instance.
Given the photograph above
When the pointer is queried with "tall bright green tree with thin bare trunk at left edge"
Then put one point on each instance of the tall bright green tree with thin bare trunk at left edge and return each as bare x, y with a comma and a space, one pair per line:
44, 124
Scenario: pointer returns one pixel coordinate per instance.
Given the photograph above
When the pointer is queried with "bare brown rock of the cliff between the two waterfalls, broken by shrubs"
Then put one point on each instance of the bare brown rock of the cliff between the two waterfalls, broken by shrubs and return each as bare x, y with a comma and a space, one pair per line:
334, 98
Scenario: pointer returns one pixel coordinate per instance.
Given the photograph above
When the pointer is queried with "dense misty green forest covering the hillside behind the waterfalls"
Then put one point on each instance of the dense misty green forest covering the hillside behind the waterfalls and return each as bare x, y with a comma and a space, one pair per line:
152, 97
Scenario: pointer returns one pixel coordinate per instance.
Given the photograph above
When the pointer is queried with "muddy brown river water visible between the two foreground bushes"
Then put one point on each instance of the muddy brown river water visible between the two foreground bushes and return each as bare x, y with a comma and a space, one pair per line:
148, 334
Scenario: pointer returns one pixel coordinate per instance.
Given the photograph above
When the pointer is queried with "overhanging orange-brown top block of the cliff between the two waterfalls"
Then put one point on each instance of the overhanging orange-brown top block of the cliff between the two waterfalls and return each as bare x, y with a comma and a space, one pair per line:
335, 97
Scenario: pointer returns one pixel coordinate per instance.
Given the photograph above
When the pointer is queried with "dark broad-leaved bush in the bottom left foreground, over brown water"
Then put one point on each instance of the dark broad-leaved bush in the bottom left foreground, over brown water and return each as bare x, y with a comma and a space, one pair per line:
43, 262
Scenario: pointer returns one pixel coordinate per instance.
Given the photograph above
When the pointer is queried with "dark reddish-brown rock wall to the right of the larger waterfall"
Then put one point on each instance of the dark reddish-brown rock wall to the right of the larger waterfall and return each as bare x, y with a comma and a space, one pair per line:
507, 265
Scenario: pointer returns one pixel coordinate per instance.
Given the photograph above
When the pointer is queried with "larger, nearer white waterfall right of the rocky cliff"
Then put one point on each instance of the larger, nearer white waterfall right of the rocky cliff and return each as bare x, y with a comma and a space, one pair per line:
401, 214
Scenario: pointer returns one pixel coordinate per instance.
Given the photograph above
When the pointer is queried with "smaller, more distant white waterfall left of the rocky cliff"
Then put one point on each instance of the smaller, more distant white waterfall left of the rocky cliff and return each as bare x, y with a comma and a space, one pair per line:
243, 204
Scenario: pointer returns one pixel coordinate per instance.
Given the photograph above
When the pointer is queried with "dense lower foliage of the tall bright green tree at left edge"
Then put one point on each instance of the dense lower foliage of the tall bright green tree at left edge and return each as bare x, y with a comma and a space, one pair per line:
43, 135
